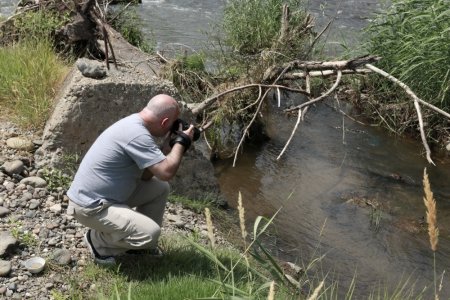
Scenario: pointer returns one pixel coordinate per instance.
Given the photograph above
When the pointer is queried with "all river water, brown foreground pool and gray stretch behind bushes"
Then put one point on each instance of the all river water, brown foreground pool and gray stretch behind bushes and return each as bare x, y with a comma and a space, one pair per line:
332, 172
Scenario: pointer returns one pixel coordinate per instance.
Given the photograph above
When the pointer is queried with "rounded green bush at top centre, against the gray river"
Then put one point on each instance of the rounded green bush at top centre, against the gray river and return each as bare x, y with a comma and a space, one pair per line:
253, 25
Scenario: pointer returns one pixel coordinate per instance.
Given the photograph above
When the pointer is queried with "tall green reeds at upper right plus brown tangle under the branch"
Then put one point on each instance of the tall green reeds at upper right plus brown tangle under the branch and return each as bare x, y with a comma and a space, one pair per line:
411, 36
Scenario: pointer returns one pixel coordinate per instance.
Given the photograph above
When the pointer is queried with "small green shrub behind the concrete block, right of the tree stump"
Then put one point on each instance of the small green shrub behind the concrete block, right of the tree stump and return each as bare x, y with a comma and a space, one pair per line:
128, 24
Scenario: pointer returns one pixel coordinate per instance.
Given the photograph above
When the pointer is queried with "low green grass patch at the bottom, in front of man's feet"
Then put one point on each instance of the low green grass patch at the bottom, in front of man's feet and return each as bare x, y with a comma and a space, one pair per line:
183, 273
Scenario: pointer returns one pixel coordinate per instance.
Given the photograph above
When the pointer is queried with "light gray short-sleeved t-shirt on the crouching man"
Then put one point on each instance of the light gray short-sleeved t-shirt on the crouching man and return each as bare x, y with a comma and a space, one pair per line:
113, 166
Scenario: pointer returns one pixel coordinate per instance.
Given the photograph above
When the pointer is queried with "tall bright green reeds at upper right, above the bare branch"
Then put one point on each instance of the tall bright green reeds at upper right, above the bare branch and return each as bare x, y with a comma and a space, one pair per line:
412, 37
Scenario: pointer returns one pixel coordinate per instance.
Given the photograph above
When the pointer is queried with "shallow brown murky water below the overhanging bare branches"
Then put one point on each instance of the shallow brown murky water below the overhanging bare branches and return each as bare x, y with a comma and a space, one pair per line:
331, 161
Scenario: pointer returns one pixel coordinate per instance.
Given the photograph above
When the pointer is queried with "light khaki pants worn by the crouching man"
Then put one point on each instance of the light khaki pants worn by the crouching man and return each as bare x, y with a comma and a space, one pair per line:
135, 224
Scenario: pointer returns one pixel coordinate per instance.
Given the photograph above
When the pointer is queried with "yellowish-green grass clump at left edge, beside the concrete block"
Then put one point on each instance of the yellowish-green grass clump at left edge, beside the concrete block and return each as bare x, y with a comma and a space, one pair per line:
30, 72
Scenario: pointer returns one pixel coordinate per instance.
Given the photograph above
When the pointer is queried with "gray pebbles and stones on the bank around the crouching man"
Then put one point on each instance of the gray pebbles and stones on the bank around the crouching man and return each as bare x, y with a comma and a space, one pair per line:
33, 222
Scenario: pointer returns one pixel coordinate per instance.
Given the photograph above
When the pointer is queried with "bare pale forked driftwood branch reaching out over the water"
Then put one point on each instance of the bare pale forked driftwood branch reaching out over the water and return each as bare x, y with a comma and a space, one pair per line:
305, 70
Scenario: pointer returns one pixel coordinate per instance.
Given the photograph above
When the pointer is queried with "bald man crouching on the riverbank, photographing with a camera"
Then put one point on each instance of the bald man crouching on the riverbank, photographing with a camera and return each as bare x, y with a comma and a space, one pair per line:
120, 189
